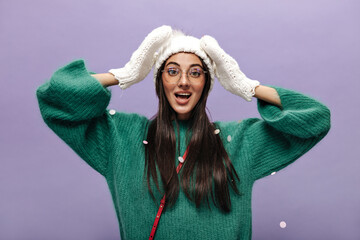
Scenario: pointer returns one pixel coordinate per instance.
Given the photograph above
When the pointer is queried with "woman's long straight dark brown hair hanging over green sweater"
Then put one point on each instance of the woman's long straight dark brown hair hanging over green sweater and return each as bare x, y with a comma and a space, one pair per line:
207, 171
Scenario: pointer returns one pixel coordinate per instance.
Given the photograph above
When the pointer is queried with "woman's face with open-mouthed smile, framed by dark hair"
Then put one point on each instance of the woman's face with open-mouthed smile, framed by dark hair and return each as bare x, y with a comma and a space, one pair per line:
183, 94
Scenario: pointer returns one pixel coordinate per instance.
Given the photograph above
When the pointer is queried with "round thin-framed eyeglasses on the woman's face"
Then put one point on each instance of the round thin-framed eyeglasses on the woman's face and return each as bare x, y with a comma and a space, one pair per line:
193, 74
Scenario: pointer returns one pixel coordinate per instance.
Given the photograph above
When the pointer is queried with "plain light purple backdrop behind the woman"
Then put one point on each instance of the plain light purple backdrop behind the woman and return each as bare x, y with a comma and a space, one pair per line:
48, 192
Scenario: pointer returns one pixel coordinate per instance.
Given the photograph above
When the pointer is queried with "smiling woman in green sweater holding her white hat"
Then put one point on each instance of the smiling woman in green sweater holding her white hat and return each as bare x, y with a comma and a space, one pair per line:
211, 196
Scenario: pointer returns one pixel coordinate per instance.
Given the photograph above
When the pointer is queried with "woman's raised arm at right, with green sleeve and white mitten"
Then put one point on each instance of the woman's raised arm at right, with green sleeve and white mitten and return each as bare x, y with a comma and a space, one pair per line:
291, 123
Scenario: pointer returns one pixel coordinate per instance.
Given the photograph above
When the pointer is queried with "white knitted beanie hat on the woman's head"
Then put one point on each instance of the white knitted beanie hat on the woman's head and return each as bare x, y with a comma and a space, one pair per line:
179, 42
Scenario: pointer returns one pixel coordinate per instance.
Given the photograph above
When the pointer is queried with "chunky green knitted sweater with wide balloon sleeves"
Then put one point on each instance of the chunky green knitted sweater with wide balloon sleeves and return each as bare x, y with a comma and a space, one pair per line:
73, 104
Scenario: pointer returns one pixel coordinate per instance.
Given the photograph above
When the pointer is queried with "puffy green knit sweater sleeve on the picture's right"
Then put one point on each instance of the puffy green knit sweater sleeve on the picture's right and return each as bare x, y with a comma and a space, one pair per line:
284, 134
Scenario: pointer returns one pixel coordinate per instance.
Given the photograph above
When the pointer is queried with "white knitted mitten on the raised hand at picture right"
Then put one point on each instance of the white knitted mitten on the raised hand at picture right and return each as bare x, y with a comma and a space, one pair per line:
227, 70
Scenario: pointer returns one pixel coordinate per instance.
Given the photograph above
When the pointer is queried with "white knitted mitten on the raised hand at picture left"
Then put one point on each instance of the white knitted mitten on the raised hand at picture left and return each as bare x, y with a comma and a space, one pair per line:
142, 60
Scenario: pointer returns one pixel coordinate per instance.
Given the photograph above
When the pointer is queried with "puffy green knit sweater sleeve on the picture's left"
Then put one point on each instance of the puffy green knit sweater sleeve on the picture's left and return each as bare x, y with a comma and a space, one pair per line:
73, 104
